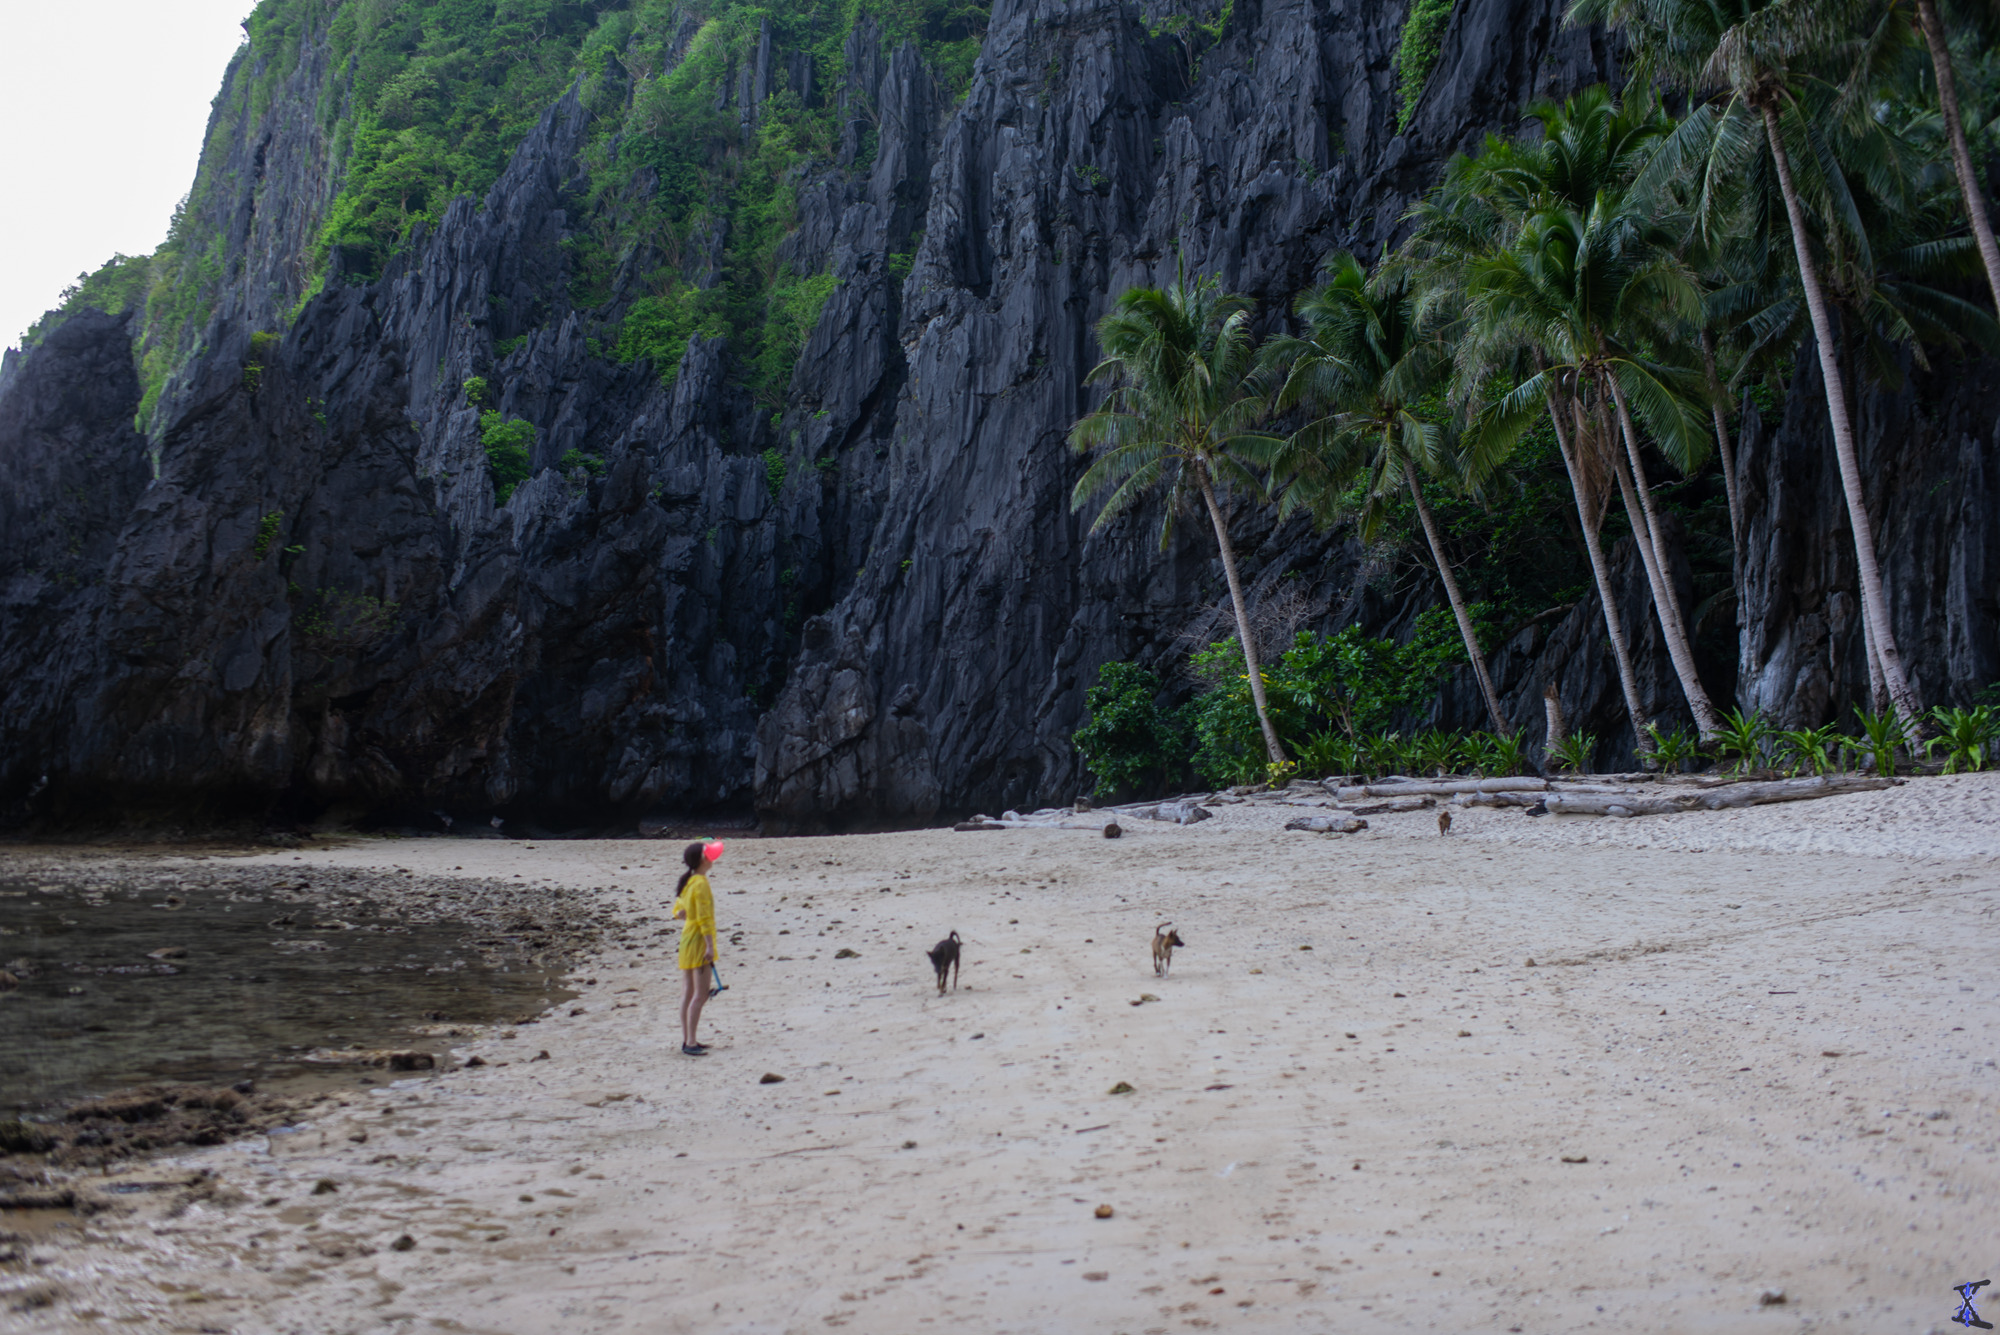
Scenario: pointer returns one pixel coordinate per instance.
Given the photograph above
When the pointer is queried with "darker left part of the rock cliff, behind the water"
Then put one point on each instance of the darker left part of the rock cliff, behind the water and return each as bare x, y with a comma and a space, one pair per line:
319, 601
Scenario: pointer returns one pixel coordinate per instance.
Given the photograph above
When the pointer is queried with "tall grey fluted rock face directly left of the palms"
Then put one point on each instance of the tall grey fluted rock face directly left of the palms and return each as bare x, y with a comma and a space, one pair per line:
953, 672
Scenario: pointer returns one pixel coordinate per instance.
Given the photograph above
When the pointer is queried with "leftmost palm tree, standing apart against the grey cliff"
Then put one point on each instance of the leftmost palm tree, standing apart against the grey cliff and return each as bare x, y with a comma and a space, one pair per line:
1185, 399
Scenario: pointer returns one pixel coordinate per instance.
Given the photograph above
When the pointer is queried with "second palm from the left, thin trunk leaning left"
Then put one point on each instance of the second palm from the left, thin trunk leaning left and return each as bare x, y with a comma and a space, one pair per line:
1365, 367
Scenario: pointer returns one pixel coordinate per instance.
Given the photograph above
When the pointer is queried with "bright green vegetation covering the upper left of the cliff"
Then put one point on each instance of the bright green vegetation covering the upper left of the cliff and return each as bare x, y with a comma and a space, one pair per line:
425, 101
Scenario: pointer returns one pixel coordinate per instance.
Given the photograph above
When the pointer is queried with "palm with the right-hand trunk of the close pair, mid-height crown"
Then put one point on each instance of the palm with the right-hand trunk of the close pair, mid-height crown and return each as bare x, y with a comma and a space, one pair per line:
1575, 287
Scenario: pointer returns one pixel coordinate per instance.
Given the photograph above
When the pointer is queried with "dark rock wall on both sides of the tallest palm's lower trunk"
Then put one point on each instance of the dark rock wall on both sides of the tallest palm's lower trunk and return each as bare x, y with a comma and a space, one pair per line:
1931, 473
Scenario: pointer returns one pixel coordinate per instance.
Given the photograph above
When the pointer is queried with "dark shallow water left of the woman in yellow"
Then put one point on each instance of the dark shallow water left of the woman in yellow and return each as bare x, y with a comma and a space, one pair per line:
263, 984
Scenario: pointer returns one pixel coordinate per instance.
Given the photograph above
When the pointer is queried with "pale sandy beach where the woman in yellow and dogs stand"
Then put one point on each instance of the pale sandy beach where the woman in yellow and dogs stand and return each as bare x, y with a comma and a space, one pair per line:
1747, 1084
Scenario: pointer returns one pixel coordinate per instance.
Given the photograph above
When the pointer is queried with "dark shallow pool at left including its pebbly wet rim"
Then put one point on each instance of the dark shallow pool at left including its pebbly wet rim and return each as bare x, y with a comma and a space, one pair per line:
169, 970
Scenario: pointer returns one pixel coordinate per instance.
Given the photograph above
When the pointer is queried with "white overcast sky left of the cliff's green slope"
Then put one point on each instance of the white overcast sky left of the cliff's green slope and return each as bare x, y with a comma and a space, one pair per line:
103, 107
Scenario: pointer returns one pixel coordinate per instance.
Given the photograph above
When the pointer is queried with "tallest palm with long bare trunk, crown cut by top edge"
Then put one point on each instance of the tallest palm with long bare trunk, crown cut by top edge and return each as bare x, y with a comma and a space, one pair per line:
1739, 57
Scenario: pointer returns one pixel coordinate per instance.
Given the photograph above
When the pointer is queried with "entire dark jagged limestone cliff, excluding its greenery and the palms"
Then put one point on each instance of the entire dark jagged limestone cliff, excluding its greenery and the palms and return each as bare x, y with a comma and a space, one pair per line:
321, 605
